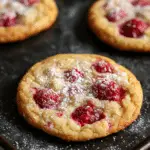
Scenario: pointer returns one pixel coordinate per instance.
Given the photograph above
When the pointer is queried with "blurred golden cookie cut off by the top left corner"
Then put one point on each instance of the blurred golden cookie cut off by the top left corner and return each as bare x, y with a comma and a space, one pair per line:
20, 19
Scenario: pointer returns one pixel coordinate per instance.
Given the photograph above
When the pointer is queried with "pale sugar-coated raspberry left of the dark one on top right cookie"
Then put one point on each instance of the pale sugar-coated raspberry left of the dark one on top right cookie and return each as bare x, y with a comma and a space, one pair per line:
115, 15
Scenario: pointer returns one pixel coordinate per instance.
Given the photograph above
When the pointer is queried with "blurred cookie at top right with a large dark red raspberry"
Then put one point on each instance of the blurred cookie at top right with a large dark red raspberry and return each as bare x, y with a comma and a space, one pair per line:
123, 24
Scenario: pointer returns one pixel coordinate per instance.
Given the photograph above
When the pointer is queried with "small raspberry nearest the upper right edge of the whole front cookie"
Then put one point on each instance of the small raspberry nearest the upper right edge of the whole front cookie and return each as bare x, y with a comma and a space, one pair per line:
102, 66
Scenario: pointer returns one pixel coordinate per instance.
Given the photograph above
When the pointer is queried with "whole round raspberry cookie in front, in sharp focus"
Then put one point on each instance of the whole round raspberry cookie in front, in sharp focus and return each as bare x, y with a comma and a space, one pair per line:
79, 97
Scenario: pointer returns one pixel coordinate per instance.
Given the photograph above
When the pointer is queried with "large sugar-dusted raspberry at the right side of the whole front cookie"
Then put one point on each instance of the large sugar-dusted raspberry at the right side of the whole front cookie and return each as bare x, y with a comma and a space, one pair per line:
105, 89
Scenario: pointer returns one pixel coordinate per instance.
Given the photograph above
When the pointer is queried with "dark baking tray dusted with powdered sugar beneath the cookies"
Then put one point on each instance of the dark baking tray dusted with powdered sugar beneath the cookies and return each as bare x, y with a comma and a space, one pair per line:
70, 34
